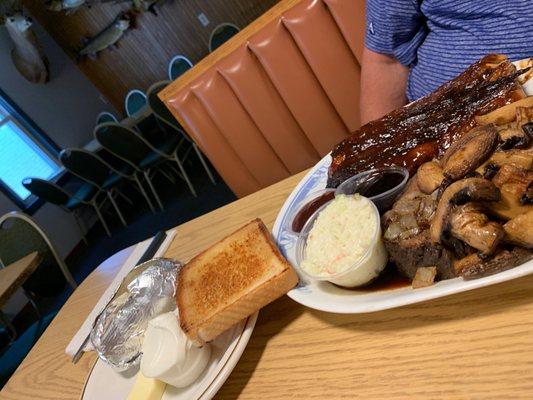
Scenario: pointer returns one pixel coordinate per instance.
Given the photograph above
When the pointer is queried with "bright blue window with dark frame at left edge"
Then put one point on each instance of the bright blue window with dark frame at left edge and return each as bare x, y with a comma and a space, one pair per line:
22, 155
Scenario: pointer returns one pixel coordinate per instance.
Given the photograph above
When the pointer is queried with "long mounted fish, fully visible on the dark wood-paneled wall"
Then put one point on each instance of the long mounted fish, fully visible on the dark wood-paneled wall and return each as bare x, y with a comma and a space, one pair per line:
108, 38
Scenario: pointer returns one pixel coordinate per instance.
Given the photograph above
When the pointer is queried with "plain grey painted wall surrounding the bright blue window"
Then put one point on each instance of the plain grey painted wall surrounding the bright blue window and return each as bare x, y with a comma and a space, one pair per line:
65, 108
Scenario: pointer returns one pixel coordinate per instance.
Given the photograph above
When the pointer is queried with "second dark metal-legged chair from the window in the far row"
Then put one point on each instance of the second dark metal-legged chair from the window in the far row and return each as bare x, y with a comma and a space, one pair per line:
92, 169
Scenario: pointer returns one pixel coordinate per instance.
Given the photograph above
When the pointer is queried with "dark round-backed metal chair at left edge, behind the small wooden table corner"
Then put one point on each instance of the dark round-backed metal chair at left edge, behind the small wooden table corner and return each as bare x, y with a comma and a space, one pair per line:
20, 235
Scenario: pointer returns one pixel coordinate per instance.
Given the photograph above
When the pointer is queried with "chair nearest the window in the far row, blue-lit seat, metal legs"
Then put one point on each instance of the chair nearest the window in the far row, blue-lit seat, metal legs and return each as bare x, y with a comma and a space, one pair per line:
86, 195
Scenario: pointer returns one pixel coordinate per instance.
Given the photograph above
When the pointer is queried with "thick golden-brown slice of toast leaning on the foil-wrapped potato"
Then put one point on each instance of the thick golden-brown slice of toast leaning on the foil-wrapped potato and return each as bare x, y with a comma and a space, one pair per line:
230, 281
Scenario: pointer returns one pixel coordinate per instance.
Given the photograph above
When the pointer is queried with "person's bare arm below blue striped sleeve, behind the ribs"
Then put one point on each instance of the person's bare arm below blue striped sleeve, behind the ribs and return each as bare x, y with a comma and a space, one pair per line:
383, 84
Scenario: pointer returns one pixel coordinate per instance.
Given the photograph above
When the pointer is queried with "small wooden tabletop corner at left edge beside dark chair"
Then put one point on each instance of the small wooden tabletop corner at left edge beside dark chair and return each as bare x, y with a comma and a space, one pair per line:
14, 275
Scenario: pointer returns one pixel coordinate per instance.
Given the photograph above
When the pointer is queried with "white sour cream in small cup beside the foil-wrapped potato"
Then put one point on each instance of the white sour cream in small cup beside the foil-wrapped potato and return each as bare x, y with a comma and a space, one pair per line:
168, 355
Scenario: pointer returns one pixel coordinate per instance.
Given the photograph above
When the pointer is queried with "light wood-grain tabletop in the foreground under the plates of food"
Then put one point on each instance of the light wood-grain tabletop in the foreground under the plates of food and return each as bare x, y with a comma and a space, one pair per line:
477, 344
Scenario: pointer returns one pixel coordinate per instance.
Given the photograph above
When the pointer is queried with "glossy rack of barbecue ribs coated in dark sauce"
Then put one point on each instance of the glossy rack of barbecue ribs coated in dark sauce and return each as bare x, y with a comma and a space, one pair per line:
423, 130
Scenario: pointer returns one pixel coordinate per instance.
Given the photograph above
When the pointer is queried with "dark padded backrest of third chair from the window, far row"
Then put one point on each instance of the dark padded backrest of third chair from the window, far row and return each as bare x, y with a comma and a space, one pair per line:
122, 142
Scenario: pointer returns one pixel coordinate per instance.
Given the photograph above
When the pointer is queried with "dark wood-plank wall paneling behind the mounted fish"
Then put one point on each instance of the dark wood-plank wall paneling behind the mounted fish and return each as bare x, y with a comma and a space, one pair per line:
144, 52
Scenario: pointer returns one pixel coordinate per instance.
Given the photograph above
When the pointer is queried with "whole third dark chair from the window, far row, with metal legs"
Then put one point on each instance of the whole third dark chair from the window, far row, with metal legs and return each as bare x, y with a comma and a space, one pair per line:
132, 148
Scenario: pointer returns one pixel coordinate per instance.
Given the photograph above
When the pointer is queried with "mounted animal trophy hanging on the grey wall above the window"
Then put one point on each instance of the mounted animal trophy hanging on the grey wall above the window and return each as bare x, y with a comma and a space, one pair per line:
27, 54
